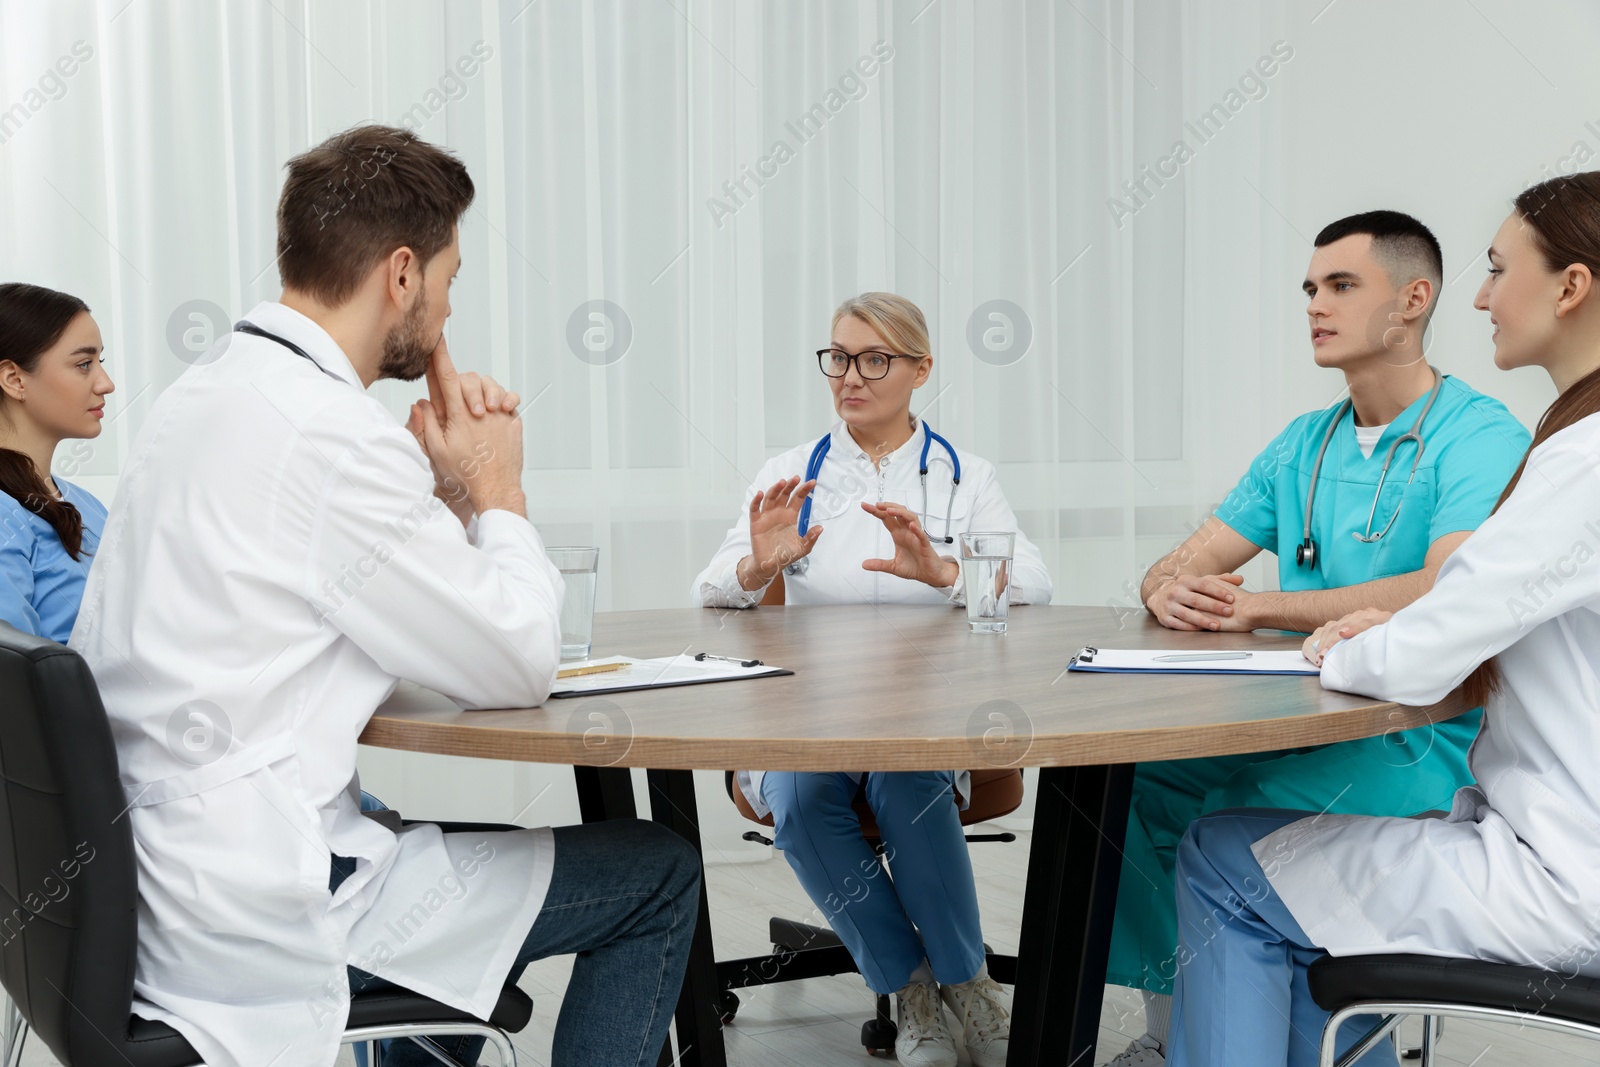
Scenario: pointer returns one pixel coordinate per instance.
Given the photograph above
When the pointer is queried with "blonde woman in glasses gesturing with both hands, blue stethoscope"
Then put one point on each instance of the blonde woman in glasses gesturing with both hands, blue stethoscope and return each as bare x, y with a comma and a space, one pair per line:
871, 514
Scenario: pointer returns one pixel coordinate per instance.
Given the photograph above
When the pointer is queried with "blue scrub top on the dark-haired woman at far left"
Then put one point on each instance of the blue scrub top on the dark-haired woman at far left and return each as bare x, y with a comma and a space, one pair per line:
42, 586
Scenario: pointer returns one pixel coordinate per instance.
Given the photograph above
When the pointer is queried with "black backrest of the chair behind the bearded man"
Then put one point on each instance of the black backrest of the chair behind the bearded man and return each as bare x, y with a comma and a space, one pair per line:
68, 879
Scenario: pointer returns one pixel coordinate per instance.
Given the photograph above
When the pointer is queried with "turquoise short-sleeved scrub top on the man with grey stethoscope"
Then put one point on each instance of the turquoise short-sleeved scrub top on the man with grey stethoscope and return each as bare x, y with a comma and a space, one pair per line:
1471, 449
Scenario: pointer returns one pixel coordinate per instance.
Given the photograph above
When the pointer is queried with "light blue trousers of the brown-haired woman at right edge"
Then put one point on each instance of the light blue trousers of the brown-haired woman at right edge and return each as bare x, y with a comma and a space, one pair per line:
1242, 996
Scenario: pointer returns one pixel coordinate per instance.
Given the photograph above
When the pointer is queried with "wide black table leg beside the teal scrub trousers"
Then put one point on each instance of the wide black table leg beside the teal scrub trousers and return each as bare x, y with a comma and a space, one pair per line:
1073, 869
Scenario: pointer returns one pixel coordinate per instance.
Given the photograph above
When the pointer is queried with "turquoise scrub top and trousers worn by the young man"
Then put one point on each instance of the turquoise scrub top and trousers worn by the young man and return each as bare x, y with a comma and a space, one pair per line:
1471, 449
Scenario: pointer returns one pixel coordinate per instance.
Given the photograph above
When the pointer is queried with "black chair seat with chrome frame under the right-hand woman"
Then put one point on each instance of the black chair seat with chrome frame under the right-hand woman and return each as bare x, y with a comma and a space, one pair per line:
1439, 988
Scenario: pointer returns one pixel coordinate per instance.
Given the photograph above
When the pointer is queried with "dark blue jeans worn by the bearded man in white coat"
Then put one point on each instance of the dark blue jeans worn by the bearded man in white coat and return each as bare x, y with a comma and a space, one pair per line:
625, 897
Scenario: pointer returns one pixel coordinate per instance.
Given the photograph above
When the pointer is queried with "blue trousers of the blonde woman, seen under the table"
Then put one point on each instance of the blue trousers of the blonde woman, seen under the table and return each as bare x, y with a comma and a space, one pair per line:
929, 909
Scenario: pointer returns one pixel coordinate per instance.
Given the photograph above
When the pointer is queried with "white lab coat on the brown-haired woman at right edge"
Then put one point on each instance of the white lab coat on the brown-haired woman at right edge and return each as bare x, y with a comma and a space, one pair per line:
1514, 873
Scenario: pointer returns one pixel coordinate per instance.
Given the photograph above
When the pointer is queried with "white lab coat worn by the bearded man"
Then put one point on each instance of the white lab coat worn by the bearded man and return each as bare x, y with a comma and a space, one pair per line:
273, 565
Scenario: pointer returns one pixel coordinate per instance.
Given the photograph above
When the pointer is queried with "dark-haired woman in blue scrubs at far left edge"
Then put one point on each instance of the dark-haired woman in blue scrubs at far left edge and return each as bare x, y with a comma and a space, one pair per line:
52, 388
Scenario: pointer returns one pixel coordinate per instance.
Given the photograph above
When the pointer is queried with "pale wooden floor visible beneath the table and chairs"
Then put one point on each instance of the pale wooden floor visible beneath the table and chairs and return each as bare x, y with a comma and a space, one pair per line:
818, 1021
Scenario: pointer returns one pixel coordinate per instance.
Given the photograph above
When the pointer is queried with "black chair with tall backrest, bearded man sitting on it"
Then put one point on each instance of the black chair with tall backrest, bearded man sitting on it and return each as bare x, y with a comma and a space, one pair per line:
68, 962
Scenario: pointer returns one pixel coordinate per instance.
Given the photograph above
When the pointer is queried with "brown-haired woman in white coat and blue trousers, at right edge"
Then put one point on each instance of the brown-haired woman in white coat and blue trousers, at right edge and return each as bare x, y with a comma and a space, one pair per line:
1513, 874
